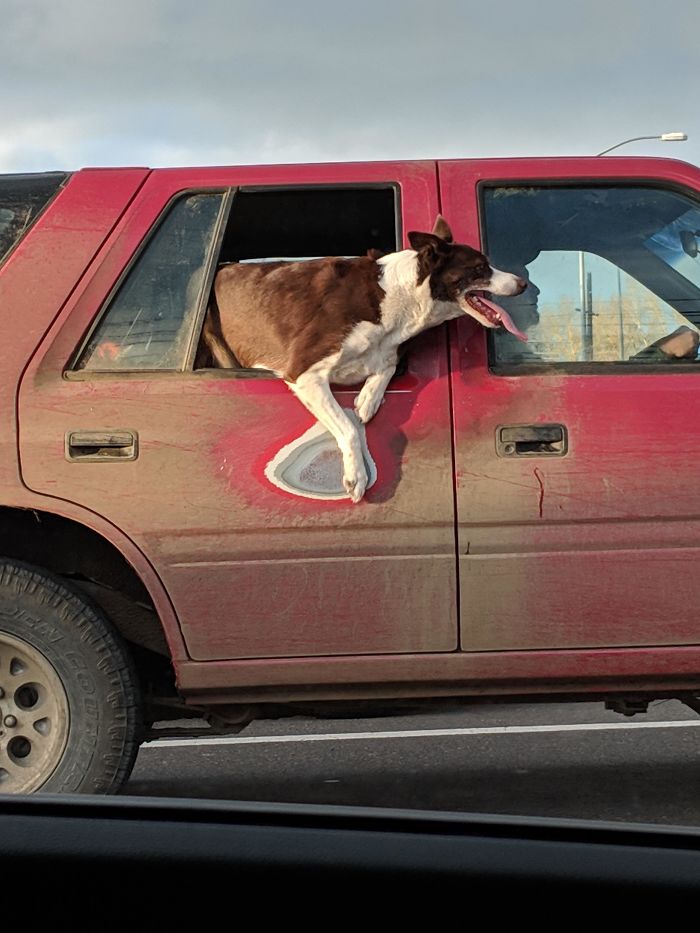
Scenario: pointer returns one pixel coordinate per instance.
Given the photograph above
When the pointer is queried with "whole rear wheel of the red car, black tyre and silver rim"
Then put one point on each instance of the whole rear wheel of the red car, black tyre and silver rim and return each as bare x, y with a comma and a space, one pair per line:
70, 708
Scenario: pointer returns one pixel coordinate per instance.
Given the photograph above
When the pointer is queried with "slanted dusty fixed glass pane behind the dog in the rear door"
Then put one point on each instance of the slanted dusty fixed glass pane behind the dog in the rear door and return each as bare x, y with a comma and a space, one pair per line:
148, 324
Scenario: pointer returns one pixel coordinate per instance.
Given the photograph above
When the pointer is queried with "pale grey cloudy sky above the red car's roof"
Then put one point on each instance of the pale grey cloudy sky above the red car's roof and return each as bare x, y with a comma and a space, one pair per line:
224, 82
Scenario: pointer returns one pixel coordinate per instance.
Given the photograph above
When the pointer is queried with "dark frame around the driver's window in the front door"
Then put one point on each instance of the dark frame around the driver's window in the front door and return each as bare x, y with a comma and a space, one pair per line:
563, 368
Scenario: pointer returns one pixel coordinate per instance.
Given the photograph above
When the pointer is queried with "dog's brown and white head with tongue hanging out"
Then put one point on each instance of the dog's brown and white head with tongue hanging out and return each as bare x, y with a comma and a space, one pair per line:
459, 275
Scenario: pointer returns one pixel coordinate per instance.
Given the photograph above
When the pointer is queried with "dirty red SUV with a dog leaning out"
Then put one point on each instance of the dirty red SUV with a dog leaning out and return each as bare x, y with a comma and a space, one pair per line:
174, 541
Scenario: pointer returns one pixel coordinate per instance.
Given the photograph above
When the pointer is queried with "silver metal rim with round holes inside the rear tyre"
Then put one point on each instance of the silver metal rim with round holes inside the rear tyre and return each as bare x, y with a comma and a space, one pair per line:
34, 717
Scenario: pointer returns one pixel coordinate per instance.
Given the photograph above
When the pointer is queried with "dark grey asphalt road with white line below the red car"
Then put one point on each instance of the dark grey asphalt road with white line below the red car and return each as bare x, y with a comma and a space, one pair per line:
562, 760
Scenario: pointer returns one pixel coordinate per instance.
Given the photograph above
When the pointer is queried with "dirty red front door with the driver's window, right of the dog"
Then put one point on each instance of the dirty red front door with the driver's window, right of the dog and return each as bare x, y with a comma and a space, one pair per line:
577, 453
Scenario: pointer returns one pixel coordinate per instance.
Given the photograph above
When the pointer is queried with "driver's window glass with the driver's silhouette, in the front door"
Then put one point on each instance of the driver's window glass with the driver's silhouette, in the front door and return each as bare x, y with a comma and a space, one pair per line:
614, 273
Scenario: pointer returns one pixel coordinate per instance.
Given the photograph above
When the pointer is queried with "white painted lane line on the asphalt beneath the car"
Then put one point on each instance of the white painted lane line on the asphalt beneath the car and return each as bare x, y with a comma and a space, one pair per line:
417, 733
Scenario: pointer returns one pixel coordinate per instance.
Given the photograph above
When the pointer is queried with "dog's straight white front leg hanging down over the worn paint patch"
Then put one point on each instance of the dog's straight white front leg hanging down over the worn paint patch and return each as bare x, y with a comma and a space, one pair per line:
314, 392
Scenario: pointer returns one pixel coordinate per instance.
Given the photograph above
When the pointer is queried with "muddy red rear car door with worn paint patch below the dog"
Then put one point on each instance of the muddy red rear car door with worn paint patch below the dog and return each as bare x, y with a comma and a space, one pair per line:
116, 416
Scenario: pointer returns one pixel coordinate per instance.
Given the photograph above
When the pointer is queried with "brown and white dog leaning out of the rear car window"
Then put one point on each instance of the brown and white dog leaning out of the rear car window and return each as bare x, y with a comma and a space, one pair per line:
343, 321
